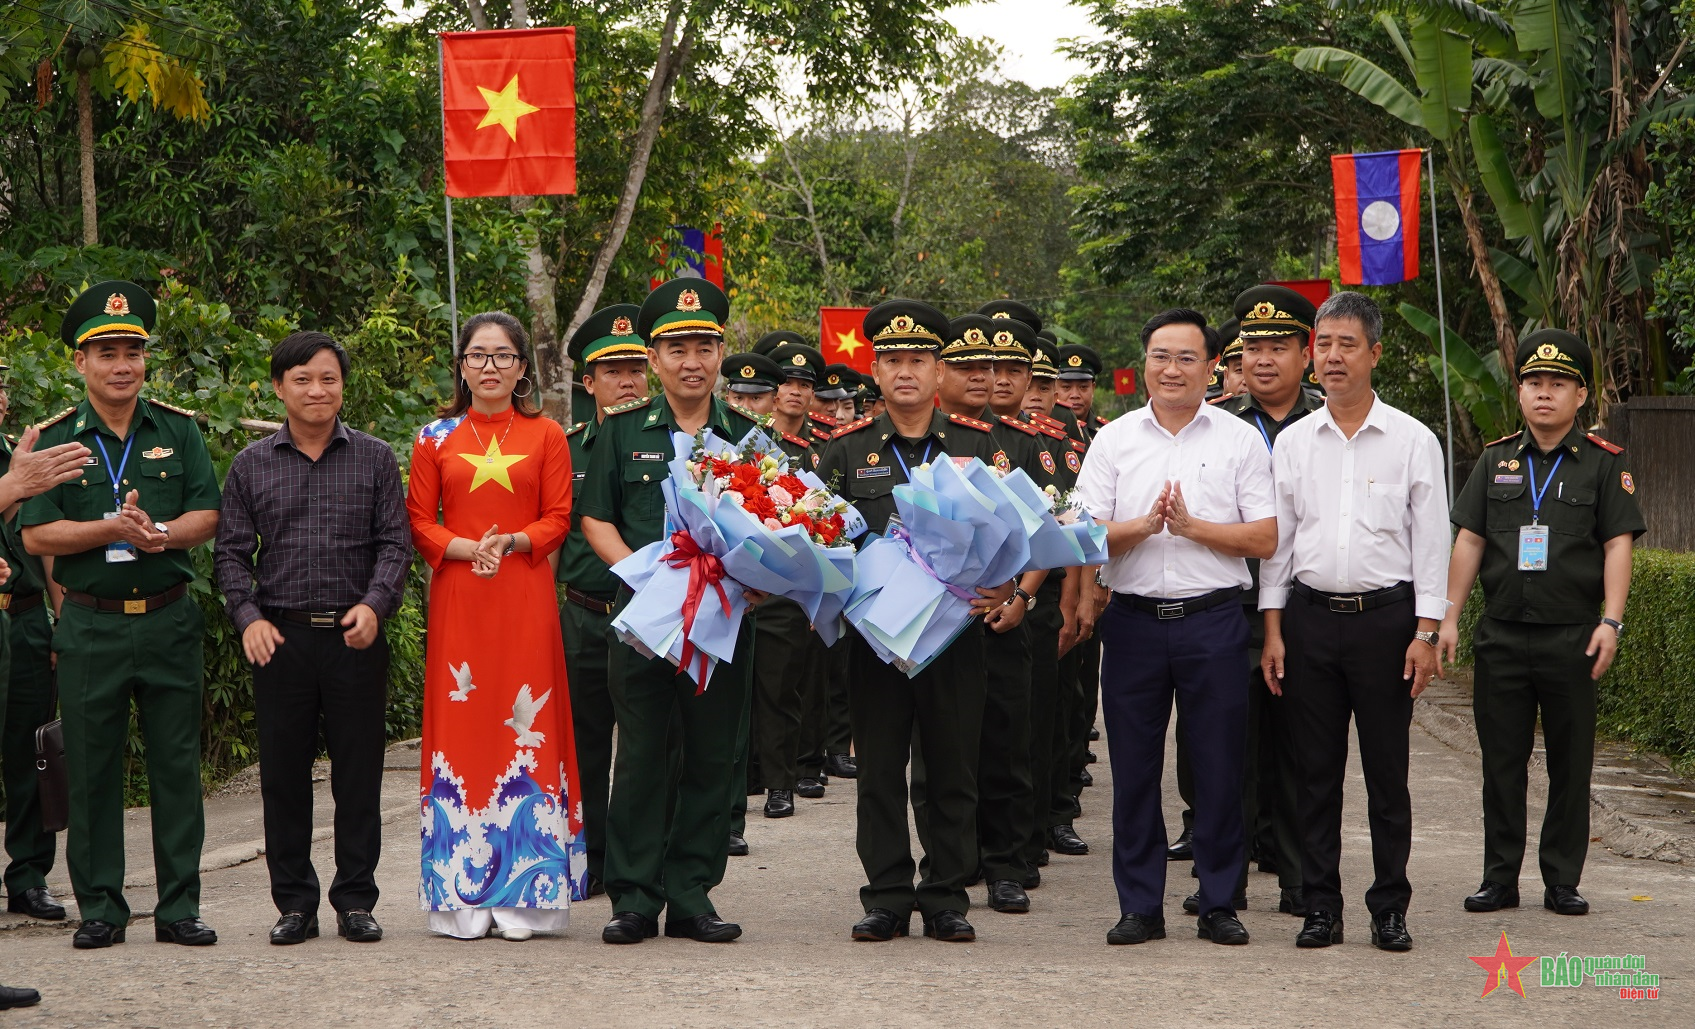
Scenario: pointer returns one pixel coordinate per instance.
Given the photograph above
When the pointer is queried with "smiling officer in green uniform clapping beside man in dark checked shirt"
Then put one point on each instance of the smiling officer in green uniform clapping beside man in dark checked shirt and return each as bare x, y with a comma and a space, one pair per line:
119, 540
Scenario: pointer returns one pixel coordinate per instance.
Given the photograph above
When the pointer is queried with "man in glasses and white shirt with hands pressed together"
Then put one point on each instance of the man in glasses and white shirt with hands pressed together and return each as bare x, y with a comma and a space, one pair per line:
1186, 494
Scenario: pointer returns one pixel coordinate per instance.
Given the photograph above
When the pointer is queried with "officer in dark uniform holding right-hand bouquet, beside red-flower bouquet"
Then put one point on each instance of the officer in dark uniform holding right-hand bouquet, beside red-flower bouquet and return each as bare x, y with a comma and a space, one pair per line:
942, 709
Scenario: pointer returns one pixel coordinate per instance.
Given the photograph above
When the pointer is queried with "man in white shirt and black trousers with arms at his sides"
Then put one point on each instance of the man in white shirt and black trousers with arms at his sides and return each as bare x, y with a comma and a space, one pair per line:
1353, 601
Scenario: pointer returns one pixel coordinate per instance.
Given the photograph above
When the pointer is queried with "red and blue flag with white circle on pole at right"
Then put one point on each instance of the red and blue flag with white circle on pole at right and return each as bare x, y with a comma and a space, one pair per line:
1377, 216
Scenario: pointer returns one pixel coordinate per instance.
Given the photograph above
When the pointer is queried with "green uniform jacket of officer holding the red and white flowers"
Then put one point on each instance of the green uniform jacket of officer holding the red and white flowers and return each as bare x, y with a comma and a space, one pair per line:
631, 459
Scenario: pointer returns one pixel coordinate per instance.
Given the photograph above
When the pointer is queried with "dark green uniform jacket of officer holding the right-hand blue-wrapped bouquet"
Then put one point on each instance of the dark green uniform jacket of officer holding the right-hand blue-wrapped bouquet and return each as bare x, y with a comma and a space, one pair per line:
867, 460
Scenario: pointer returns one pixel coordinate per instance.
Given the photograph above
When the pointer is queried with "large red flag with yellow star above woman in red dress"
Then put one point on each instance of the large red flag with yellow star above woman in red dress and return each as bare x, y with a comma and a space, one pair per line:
509, 113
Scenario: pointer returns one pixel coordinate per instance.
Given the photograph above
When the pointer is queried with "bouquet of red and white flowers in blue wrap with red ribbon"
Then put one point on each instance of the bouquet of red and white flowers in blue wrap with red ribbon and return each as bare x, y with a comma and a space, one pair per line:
738, 518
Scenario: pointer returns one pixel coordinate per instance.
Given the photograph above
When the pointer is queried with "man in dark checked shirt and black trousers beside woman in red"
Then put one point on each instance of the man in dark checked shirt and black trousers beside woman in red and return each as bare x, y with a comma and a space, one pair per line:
313, 555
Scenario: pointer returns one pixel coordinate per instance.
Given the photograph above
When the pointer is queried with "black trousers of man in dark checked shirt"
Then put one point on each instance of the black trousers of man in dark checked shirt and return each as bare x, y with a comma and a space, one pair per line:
318, 684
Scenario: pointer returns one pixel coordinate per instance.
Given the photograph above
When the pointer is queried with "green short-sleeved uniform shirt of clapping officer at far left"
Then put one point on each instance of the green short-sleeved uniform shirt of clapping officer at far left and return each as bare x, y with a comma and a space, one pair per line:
169, 467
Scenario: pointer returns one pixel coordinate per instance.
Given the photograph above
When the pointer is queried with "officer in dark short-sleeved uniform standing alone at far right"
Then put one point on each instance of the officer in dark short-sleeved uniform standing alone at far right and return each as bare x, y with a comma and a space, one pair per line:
1548, 520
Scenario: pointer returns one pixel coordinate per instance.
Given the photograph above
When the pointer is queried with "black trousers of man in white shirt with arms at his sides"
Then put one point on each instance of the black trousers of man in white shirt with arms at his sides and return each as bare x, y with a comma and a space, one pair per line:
1345, 667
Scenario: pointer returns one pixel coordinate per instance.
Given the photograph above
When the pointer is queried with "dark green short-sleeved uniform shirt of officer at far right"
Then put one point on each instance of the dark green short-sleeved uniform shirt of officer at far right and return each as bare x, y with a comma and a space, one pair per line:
1589, 499
